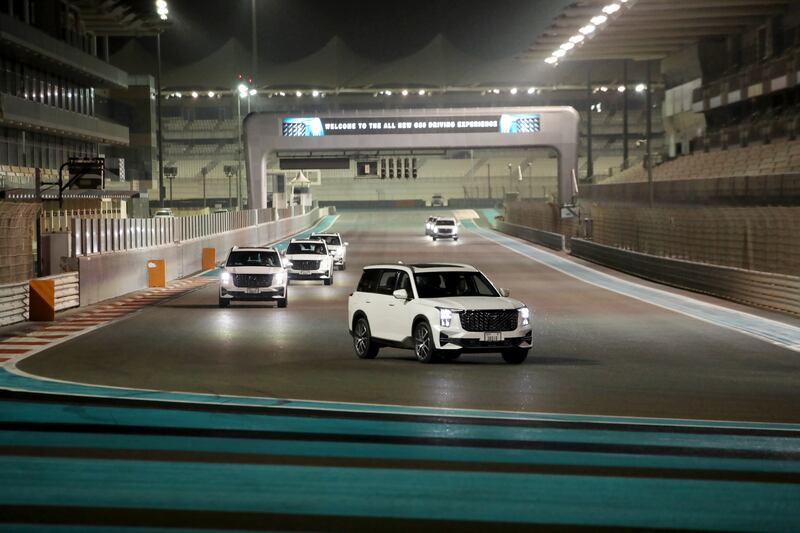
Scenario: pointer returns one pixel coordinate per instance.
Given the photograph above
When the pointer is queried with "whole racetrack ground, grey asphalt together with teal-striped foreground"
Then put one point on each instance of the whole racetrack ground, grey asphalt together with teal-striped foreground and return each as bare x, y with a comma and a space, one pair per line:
638, 407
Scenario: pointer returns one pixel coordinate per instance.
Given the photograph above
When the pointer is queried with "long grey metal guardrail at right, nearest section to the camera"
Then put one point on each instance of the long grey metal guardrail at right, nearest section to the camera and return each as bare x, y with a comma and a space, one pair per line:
762, 289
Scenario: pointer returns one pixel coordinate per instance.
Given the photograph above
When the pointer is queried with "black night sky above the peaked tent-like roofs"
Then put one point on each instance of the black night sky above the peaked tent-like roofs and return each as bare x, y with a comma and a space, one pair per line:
379, 30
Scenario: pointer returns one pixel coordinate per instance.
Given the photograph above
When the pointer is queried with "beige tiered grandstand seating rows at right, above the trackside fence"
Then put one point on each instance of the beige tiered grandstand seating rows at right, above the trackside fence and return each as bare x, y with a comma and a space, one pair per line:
754, 160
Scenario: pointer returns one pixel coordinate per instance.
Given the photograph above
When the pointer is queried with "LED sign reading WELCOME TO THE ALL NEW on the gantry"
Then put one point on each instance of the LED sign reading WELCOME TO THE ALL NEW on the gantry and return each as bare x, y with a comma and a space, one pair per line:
320, 127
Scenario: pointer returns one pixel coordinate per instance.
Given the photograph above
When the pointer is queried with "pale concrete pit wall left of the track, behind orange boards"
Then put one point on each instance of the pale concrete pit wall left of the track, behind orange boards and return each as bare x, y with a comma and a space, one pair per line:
110, 274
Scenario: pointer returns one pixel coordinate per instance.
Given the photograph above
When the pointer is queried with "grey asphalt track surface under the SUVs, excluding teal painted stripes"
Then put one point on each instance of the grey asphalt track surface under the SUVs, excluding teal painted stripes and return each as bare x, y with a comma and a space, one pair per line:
596, 351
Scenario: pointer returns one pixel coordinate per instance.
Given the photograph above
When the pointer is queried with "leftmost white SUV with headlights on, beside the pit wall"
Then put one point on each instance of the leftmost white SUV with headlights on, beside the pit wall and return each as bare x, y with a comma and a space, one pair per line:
253, 274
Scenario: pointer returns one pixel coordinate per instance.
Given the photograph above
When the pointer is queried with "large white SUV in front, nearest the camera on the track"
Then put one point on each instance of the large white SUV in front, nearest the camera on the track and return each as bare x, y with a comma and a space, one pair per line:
439, 311
